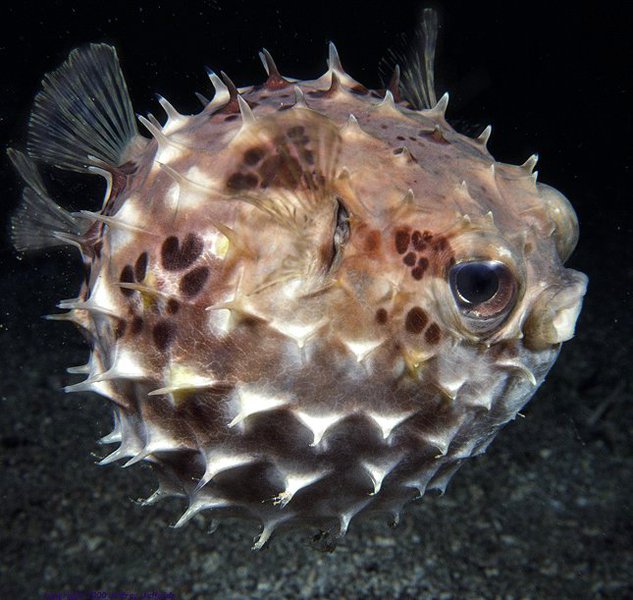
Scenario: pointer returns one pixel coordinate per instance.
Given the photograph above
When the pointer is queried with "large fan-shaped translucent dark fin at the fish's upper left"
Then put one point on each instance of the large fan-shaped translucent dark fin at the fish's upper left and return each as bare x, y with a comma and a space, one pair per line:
83, 115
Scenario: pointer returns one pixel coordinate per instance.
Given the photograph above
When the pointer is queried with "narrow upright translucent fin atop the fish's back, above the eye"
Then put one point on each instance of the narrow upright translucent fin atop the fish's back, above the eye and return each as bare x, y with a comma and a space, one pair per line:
417, 80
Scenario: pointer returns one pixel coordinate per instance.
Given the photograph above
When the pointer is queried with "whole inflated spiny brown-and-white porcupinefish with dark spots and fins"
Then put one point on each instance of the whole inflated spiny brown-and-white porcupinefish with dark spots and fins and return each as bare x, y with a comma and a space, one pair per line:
311, 300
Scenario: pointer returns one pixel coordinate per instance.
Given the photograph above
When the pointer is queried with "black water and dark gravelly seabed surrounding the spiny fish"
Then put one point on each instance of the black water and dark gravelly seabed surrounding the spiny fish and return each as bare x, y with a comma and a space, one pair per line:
545, 513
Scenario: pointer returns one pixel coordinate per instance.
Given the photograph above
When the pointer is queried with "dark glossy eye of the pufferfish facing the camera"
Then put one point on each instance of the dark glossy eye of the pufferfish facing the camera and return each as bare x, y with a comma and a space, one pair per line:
483, 289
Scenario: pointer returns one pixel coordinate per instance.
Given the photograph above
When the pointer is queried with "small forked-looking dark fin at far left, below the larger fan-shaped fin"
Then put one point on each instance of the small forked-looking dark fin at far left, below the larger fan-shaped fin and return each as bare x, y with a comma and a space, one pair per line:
39, 222
